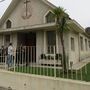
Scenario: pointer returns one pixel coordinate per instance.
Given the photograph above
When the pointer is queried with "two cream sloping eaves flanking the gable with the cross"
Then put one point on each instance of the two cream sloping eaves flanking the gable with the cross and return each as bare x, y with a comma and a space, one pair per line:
13, 4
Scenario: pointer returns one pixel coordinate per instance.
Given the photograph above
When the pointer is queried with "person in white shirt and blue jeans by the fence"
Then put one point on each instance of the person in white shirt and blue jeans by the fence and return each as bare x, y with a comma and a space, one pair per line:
10, 55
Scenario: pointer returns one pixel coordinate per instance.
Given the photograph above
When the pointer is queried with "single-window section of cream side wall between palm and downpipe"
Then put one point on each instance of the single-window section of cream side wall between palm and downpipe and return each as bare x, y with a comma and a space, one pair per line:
74, 55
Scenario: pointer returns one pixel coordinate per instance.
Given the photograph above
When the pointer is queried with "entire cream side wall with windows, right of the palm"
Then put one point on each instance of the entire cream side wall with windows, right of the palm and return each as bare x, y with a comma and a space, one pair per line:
78, 54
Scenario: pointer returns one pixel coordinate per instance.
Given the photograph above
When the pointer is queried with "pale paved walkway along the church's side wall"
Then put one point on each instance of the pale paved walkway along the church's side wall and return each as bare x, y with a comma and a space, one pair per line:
81, 64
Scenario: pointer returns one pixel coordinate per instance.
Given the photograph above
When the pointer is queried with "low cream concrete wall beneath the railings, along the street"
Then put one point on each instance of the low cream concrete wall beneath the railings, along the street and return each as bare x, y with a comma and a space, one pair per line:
18, 81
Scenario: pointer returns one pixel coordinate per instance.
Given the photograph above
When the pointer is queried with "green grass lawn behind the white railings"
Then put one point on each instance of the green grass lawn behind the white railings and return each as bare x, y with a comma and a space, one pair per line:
82, 74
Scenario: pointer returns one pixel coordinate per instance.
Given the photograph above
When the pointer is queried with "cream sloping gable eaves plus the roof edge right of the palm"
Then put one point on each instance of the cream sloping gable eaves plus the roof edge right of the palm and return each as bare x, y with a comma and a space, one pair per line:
14, 3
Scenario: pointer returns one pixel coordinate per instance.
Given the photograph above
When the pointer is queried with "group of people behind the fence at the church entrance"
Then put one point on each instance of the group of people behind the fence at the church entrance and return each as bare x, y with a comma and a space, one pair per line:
21, 55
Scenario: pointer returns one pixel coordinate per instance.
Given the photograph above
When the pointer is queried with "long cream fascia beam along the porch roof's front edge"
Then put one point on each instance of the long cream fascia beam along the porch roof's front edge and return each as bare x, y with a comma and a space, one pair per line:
29, 28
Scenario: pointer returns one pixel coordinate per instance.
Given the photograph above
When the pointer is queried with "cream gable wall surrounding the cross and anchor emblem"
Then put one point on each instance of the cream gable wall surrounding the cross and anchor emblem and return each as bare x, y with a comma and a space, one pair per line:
38, 11
